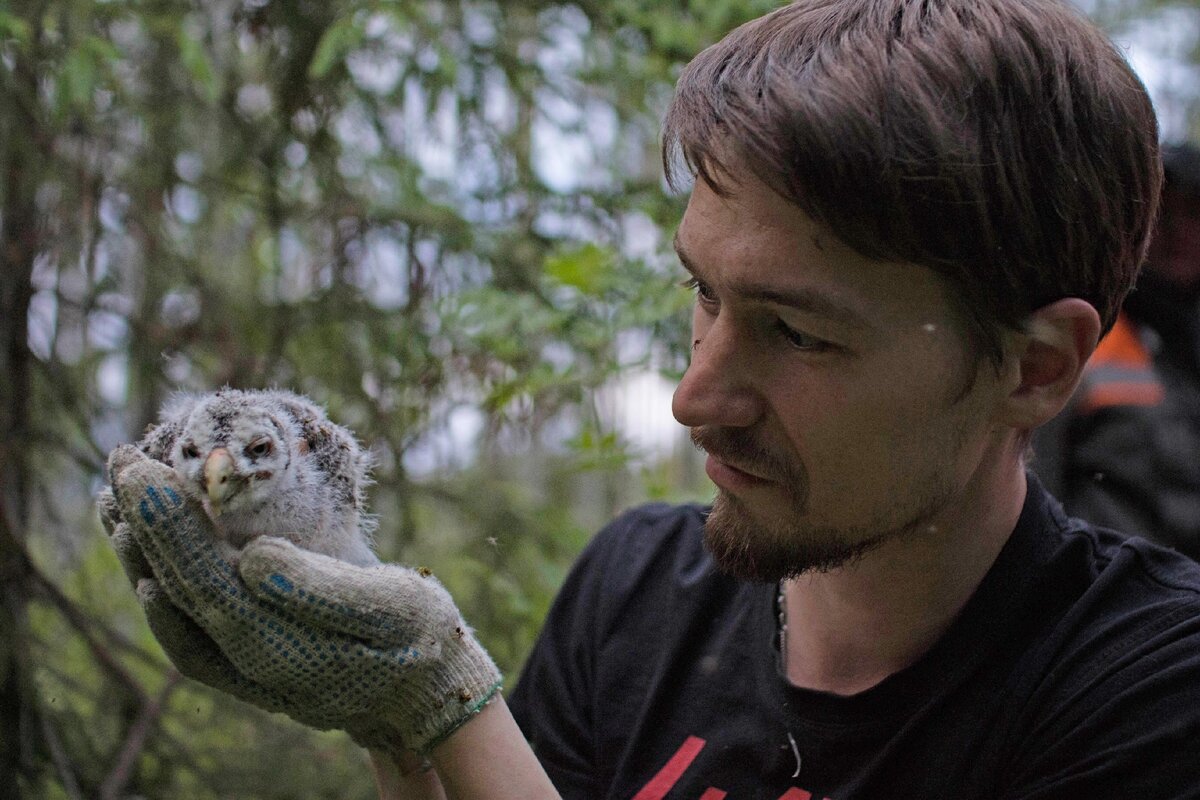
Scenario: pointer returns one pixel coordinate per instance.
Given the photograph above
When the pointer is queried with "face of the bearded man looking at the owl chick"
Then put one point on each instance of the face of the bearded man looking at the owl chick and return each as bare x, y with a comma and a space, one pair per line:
827, 389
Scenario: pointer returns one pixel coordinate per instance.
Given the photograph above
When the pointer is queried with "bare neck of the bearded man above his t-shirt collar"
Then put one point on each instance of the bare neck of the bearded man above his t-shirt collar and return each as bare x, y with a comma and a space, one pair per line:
851, 628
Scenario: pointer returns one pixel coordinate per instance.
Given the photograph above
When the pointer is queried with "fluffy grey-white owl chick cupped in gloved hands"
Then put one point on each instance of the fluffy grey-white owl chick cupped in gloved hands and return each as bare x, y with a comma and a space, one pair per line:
269, 464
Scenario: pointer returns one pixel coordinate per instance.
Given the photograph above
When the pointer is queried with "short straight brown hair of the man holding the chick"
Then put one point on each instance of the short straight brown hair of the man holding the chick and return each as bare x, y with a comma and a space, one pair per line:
1006, 145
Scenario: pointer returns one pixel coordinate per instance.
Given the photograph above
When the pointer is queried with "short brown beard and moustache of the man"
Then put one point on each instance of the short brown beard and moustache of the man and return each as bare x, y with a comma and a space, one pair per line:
783, 543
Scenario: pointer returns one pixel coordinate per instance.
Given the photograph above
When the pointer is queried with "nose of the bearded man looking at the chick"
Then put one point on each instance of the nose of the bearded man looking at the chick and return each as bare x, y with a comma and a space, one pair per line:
718, 388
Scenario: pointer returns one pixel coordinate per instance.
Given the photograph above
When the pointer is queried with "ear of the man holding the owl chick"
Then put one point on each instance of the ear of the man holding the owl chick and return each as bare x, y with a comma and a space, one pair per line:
1051, 356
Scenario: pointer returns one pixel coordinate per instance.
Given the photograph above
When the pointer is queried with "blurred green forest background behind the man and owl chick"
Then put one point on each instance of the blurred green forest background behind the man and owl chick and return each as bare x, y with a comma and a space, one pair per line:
445, 221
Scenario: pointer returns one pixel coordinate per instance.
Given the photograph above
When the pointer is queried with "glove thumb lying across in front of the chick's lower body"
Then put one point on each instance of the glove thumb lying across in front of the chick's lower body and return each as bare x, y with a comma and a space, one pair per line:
386, 605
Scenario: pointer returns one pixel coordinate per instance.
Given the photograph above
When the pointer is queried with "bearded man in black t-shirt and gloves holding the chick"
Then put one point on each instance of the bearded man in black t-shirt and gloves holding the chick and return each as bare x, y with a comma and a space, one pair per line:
913, 220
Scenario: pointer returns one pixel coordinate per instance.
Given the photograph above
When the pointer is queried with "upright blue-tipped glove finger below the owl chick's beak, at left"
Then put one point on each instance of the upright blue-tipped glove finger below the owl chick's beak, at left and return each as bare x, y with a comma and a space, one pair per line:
175, 534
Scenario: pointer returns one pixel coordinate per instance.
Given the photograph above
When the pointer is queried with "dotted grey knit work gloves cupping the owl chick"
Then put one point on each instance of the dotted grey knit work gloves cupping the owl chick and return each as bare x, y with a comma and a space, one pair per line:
380, 652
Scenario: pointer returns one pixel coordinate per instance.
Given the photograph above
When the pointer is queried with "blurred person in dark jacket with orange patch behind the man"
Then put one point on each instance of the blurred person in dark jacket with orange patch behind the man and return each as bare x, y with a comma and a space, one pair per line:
1125, 453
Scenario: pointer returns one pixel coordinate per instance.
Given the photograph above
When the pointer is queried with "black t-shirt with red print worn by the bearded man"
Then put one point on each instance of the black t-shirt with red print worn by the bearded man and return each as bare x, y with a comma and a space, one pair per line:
1073, 673
